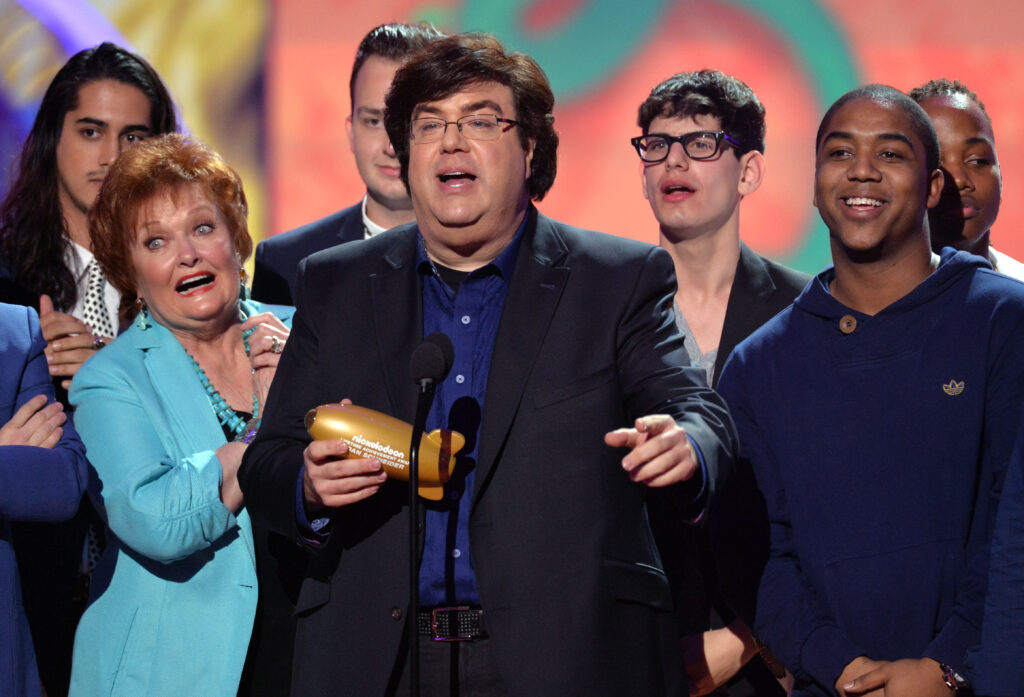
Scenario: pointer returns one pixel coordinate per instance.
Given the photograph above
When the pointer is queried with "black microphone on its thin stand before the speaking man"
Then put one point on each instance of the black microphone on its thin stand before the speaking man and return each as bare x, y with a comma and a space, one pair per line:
431, 365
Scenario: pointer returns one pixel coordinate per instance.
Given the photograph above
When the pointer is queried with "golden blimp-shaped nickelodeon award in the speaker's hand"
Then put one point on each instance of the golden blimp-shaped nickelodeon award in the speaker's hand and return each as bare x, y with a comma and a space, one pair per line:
372, 434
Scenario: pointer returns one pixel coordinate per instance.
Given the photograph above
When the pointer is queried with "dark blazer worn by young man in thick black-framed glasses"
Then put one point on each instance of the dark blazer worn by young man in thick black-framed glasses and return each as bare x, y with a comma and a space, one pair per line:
761, 290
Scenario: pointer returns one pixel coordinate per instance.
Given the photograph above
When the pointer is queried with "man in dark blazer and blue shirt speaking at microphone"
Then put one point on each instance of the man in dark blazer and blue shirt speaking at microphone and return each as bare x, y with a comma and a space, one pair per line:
539, 555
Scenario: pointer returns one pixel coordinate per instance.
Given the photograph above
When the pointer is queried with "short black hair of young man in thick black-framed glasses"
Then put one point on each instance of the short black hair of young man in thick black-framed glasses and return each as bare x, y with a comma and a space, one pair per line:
712, 94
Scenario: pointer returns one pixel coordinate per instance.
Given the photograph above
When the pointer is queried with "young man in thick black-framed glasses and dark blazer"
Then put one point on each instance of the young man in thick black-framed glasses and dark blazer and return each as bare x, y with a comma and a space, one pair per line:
702, 154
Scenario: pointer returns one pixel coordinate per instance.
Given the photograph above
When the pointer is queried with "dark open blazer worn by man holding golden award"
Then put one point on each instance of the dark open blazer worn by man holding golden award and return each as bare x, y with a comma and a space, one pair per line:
572, 585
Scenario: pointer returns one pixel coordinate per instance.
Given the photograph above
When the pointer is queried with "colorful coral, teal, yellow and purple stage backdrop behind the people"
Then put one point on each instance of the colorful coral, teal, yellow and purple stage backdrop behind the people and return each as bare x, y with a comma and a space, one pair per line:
267, 84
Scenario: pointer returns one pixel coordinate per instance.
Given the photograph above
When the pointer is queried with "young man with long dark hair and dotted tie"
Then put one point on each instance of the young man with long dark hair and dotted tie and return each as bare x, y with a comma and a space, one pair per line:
103, 101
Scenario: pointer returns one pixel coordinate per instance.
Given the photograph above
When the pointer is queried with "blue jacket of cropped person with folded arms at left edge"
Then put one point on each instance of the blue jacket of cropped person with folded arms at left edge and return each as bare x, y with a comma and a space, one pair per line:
35, 485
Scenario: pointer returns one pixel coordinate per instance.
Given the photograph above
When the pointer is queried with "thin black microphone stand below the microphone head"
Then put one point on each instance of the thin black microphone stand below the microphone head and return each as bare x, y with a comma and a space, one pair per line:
426, 397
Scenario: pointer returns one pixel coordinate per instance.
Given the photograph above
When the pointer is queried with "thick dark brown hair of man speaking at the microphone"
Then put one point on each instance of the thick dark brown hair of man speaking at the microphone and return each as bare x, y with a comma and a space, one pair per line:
446, 67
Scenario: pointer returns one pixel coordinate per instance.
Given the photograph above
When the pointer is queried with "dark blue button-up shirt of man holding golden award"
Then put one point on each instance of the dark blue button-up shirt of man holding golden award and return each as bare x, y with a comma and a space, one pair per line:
470, 316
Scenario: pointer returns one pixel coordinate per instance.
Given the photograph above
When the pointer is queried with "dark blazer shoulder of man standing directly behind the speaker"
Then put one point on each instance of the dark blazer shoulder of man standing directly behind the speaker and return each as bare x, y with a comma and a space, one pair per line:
278, 257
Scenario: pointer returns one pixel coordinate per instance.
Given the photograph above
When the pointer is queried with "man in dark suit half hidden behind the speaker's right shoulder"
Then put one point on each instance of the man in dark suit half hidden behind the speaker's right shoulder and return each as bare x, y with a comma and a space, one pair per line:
387, 204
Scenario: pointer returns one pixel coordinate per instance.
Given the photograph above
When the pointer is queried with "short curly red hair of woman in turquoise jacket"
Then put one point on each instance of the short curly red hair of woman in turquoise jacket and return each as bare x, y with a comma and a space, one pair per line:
156, 166
